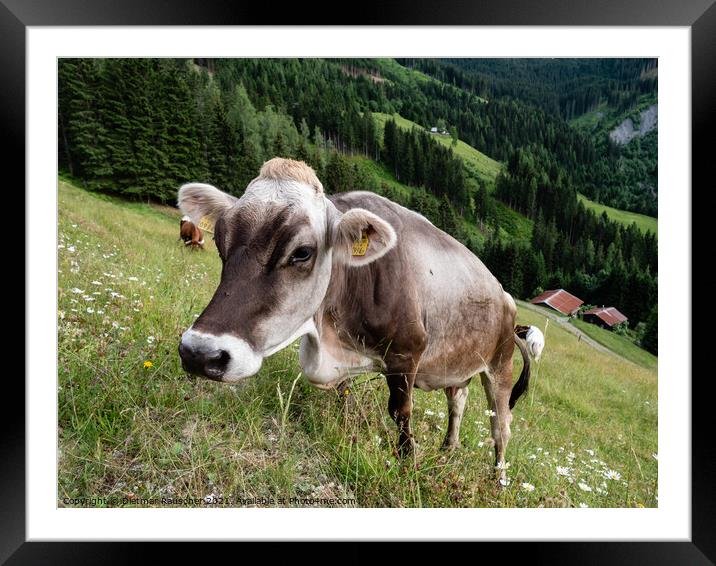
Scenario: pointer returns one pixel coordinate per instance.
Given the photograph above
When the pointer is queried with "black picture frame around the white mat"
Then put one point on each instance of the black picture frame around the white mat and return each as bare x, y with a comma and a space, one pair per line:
700, 16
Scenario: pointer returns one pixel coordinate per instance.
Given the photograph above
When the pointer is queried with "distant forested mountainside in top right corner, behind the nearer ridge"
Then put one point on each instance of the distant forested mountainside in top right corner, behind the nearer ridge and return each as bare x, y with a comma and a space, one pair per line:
623, 177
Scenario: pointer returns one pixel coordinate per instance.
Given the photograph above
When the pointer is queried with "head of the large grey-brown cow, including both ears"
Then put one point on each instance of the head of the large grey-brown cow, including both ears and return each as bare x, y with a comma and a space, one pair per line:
277, 245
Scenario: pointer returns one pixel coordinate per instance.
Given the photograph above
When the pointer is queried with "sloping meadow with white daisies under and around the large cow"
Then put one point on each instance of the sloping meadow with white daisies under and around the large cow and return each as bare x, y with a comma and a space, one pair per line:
128, 289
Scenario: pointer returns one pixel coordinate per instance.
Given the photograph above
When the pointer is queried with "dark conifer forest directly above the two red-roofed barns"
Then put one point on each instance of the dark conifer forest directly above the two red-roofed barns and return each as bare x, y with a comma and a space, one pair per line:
600, 260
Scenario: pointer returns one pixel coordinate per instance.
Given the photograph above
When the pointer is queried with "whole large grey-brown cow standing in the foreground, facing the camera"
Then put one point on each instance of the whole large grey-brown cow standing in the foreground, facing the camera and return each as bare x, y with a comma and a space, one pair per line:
366, 284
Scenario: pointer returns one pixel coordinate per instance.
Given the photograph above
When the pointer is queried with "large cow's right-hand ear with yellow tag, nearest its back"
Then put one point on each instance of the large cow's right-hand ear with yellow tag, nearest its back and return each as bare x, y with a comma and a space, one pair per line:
360, 237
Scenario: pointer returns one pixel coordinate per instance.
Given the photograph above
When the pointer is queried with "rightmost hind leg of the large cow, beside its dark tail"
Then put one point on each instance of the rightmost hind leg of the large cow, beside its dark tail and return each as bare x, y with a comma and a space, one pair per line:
498, 386
